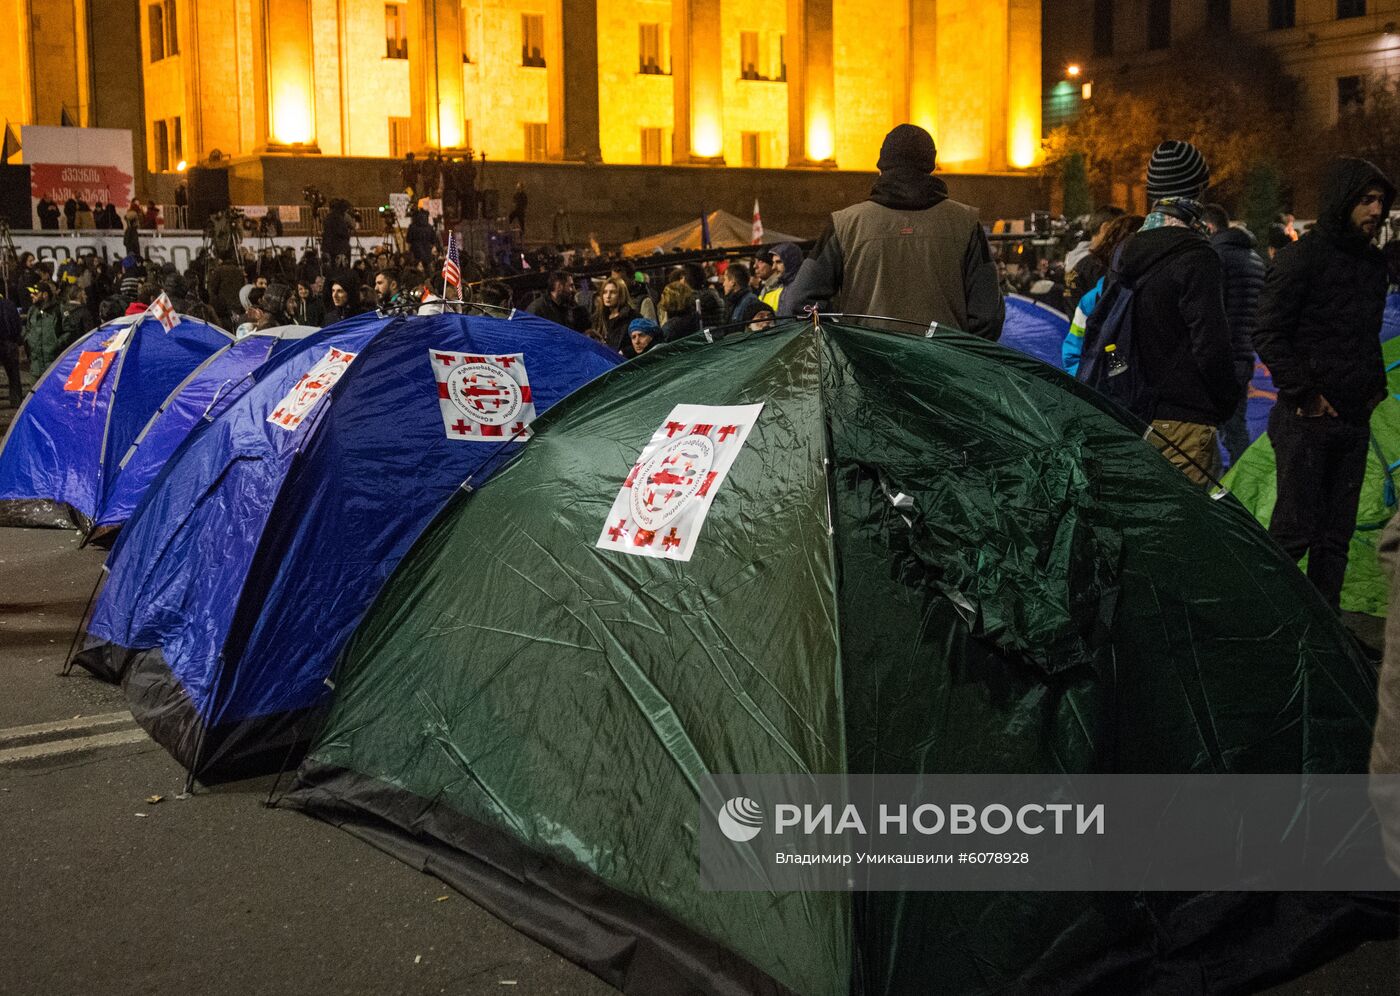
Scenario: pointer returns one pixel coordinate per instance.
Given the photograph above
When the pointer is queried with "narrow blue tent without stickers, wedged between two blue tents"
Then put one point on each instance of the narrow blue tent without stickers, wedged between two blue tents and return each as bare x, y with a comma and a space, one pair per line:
201, 399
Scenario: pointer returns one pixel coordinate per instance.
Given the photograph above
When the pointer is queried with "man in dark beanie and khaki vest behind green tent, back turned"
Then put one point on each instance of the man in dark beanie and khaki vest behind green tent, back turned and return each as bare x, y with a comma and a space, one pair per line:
906, 253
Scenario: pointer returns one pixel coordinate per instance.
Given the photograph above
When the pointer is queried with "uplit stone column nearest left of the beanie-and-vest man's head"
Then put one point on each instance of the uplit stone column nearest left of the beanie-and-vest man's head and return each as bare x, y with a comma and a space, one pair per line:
811, 85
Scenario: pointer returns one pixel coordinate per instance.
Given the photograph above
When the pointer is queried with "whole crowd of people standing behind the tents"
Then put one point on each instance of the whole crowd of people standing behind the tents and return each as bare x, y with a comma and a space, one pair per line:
1170, 307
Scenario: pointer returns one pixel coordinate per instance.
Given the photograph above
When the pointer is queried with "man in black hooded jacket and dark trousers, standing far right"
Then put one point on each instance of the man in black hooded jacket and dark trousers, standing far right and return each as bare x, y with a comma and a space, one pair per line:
1319, 333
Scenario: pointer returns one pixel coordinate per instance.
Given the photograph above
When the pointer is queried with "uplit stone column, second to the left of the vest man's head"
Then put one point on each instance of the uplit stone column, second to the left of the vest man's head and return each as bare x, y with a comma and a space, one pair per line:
698, 81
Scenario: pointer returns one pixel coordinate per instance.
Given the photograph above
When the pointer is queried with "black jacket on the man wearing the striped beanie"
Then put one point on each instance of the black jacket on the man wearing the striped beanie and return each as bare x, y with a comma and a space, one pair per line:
1179, 327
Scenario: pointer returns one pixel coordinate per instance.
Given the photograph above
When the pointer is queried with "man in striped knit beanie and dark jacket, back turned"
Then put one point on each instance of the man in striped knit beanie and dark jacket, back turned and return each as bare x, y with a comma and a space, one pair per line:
1181, 334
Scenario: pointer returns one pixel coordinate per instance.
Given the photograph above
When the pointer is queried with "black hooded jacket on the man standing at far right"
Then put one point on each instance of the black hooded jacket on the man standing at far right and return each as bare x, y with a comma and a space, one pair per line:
1321, 313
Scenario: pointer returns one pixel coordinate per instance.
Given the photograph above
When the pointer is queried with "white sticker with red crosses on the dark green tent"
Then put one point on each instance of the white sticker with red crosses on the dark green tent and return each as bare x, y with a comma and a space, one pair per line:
667, 497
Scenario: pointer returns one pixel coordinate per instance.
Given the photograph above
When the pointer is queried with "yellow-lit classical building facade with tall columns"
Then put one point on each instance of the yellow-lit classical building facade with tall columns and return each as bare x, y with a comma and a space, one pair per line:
806, 83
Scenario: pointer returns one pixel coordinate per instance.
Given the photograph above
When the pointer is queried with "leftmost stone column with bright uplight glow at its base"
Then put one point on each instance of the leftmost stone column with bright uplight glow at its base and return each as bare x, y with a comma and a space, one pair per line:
286, 113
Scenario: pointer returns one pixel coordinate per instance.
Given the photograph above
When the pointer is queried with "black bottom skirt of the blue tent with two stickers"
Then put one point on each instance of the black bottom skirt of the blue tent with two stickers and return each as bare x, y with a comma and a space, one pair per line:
222, 753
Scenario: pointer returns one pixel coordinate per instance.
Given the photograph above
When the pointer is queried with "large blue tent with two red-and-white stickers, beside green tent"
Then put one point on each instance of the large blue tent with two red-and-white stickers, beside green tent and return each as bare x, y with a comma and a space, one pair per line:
254, 555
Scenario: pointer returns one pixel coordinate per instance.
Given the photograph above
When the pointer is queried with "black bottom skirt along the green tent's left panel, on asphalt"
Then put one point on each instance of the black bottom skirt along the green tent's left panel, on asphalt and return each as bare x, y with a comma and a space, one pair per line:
618, 938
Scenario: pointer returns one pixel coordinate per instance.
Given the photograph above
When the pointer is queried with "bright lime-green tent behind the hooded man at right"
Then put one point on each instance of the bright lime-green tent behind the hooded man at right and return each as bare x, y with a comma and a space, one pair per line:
1254, 483
